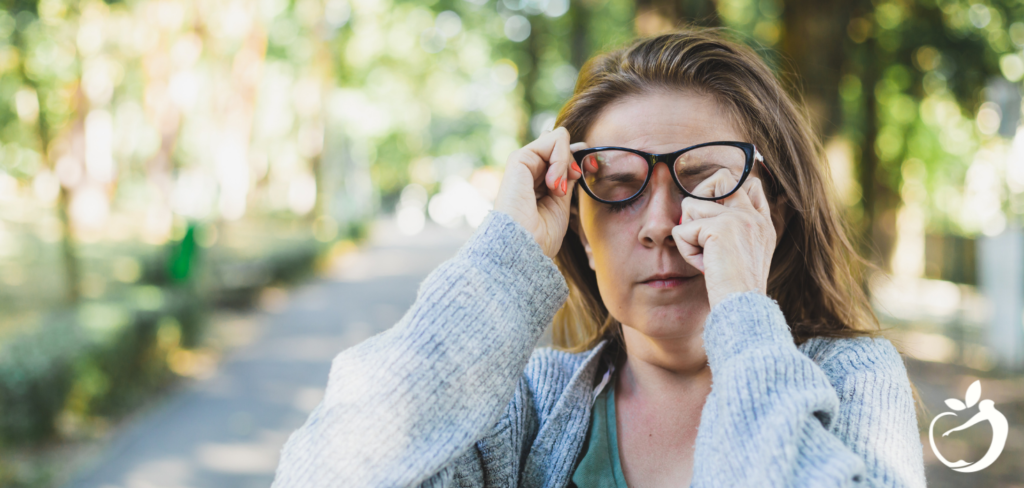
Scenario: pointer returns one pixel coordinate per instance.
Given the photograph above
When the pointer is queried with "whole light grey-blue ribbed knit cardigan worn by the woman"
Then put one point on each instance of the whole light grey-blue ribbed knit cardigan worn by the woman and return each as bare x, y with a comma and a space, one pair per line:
456, 395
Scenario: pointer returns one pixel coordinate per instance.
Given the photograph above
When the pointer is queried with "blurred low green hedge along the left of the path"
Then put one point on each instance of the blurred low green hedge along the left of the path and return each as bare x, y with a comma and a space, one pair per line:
104, 358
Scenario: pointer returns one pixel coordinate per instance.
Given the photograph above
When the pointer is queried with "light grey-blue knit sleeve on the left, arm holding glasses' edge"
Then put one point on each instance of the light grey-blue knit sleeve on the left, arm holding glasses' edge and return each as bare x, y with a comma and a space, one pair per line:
406, 407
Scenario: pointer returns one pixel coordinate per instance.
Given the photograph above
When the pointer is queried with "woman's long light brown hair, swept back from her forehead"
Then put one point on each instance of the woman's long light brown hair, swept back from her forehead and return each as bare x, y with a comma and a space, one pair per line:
816, 272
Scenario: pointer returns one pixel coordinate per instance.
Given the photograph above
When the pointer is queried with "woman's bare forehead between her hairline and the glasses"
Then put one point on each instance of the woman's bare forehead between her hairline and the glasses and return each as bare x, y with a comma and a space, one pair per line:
664, 121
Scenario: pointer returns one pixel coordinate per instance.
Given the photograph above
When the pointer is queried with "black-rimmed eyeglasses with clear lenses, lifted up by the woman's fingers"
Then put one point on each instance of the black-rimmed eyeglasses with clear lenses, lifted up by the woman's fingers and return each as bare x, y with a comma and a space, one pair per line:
616, 175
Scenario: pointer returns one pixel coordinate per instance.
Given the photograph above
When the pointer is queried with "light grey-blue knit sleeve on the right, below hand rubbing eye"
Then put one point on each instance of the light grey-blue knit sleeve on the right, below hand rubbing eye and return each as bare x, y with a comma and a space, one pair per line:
776, 418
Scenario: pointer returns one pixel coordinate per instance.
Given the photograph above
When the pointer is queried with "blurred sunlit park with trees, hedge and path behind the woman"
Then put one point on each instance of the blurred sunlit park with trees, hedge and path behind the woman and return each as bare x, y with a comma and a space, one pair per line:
174, 171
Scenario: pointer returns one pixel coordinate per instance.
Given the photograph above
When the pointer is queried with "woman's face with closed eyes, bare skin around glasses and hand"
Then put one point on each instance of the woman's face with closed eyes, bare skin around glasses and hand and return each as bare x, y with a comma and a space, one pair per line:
644, 280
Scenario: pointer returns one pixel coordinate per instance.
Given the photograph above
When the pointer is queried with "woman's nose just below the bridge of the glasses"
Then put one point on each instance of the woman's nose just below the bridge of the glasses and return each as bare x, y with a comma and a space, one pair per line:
663, 210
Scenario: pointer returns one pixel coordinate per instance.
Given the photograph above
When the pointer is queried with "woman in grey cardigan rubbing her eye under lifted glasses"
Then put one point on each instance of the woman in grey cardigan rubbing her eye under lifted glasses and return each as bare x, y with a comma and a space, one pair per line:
710, 331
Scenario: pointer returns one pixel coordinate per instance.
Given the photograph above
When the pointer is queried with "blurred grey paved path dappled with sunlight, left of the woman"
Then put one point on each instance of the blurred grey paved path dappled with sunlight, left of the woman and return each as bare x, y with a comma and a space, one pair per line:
227, 431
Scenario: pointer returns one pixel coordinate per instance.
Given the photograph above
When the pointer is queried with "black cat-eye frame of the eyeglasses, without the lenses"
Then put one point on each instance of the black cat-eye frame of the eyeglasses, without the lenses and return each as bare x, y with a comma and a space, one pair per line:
670, 160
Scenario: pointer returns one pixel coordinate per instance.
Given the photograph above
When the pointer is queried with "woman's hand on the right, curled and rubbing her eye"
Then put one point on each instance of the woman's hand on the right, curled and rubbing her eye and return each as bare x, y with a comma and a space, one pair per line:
731, 241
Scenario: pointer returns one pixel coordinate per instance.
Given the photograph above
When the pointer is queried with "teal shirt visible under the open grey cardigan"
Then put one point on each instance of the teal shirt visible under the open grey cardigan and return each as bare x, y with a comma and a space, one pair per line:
600, 467
